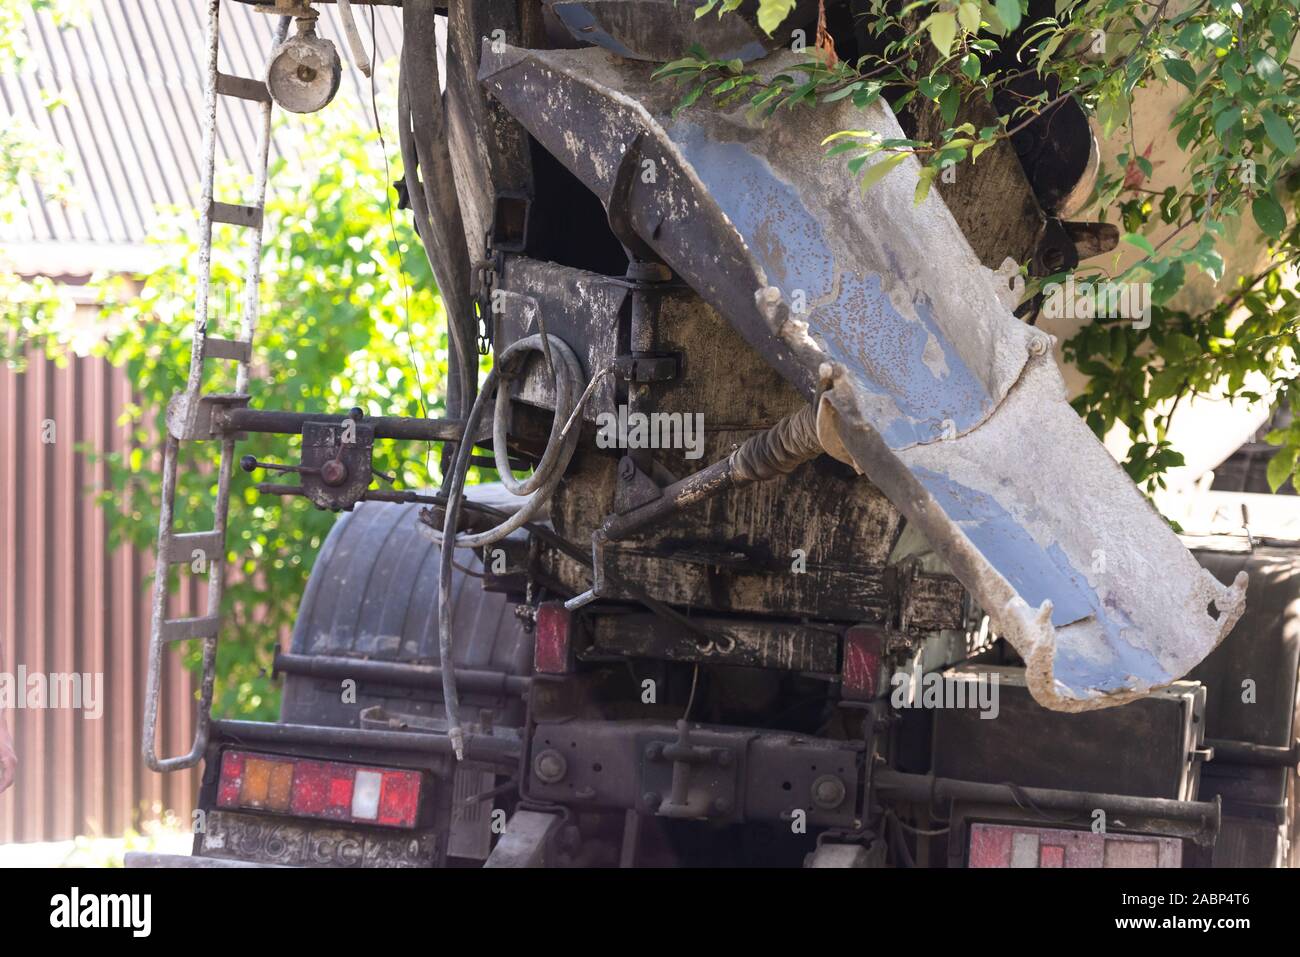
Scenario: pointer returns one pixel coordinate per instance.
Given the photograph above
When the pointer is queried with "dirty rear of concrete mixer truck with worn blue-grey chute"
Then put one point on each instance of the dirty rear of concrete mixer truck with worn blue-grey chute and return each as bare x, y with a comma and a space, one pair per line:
855, 620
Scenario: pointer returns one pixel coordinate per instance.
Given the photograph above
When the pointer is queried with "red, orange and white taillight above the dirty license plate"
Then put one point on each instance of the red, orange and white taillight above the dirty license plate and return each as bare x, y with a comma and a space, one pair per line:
320, 790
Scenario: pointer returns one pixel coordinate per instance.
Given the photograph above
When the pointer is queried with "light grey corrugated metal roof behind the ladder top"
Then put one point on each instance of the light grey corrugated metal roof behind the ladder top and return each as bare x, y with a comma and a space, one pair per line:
133, 86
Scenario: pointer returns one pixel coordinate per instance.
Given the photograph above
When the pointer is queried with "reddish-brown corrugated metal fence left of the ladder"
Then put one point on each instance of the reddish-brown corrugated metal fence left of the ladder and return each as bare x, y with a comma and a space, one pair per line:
70, 604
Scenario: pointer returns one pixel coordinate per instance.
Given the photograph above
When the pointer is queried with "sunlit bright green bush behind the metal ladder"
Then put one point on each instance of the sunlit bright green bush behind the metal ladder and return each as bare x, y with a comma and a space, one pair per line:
343, 326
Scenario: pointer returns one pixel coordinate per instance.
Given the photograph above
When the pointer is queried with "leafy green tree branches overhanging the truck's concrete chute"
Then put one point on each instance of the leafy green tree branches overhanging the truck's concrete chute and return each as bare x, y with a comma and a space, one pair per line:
1237, 124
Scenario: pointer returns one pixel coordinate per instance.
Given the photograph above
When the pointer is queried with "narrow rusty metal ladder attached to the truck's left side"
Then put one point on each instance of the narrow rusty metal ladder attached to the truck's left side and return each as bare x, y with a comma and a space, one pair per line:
189, 415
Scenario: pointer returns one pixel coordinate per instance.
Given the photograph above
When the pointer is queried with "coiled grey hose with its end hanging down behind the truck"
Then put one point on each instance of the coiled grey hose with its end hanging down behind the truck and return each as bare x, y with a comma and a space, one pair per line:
539, 487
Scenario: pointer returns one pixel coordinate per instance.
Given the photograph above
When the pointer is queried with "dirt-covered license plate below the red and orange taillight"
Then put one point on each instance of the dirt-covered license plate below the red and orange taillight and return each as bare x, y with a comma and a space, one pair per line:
310, 845
